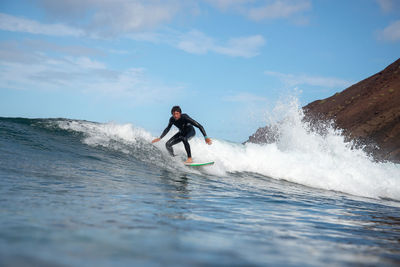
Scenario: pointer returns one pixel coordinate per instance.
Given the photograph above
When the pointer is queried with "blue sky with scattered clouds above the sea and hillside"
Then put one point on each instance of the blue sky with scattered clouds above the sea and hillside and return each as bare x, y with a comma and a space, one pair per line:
225, 62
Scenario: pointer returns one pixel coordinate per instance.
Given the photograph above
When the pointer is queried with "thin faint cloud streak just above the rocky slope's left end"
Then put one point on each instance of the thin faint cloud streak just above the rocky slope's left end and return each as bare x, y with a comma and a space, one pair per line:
293, 80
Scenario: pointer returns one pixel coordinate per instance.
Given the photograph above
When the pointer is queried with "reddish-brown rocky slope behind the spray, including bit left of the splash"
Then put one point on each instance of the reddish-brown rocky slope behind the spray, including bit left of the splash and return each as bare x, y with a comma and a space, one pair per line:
368, 111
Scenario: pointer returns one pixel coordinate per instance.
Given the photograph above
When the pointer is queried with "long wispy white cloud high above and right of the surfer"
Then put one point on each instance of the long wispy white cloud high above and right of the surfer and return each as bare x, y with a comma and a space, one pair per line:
197, 42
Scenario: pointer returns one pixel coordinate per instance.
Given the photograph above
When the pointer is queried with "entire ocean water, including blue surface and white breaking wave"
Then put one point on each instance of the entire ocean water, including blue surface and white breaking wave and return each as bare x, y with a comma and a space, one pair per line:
79, 193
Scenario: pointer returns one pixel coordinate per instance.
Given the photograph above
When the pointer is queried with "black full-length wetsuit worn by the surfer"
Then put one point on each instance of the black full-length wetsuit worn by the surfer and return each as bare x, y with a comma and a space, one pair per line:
186, 131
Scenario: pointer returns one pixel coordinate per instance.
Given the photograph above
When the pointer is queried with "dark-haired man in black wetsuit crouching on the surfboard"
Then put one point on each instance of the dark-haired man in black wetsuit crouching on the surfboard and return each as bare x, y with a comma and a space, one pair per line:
186, 131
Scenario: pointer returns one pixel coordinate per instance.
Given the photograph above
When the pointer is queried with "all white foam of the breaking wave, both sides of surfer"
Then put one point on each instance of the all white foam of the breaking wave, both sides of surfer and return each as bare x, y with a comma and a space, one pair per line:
300, 156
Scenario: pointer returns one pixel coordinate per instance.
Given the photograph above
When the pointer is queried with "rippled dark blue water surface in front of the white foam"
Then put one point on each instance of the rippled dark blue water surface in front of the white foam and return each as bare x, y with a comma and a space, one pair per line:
67, 203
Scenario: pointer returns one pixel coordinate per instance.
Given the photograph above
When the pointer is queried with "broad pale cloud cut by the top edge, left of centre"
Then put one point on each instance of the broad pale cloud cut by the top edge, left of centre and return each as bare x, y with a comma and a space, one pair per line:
107, 18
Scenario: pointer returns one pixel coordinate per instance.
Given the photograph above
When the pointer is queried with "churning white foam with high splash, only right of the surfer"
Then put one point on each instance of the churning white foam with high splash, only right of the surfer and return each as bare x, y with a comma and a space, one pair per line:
305, 157
